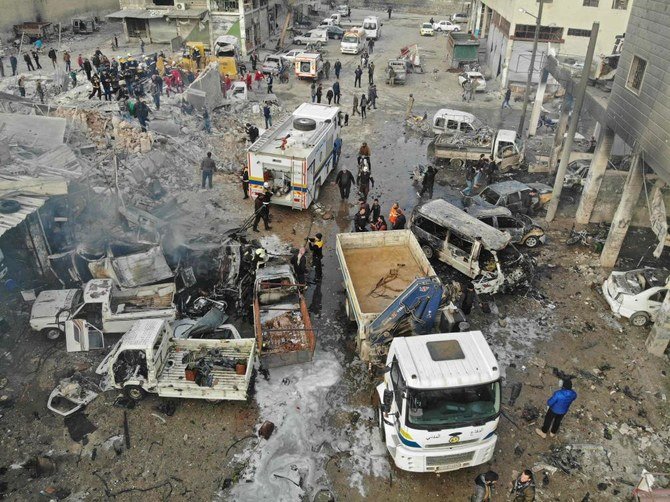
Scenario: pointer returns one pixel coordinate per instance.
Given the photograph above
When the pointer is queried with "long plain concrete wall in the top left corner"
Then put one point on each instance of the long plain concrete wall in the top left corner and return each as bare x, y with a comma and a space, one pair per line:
14, 12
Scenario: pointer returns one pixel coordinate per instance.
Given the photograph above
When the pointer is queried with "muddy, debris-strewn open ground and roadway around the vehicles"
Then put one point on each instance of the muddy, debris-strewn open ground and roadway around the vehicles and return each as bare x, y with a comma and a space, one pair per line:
326, 443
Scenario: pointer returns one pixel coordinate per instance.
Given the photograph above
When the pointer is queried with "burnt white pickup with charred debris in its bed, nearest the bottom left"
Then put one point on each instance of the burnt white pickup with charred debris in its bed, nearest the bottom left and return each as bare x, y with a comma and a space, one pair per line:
148, 359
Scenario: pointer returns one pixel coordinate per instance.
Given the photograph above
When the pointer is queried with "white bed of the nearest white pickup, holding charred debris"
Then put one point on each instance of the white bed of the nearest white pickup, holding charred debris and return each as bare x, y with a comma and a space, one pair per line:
227, 384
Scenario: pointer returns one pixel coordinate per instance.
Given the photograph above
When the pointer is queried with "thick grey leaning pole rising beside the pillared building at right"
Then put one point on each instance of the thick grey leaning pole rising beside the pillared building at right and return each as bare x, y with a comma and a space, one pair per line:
572, 129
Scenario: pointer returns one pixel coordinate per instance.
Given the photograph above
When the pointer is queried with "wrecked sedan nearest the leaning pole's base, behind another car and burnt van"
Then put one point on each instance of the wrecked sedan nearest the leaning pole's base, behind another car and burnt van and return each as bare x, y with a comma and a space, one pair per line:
516, 196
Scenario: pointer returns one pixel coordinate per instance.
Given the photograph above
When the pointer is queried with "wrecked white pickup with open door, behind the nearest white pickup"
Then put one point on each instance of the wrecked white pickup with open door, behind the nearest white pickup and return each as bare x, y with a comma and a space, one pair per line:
100, 303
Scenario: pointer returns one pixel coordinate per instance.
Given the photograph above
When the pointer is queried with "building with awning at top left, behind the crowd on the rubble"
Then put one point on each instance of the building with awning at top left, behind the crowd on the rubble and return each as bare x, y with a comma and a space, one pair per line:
161, 21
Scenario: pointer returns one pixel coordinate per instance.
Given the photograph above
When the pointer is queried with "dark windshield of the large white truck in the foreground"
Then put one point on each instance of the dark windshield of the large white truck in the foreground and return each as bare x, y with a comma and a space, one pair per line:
453, 407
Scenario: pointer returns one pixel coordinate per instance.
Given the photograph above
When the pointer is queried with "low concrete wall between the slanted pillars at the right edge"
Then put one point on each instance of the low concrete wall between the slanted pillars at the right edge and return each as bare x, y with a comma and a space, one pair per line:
610, 195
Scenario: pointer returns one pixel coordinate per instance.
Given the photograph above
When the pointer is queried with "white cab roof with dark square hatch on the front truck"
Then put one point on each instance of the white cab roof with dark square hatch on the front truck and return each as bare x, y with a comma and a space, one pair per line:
446, 360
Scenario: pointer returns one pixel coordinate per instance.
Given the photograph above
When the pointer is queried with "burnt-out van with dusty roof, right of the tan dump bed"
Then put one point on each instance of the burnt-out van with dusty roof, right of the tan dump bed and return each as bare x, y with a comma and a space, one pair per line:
468, 245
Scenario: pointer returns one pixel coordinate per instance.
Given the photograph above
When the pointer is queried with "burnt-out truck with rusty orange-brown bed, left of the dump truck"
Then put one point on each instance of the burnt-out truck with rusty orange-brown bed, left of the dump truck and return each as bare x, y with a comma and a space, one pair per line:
282, 324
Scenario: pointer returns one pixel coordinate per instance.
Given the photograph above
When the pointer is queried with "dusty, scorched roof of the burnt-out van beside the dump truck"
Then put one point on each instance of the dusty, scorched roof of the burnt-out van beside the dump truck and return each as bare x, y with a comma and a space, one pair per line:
444, 213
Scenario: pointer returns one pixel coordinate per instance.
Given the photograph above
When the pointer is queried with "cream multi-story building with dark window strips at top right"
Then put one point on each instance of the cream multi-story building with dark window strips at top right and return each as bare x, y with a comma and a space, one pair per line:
509, 27
